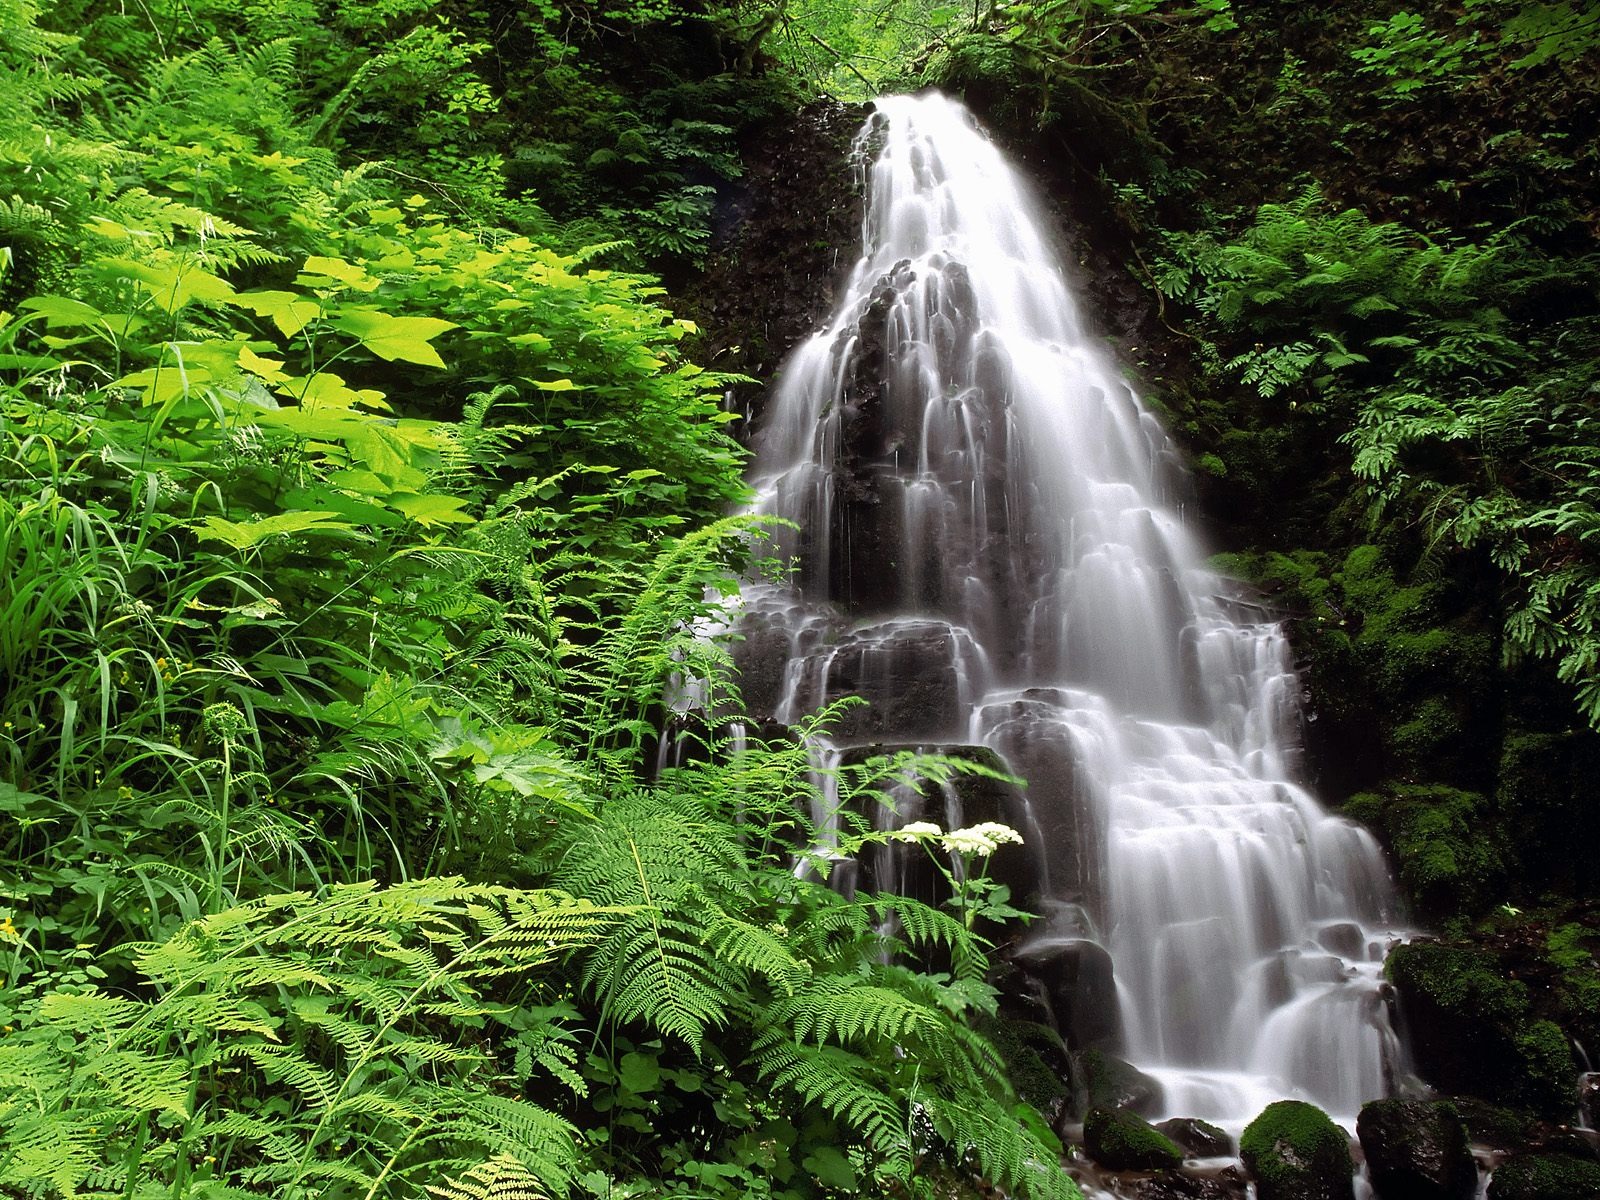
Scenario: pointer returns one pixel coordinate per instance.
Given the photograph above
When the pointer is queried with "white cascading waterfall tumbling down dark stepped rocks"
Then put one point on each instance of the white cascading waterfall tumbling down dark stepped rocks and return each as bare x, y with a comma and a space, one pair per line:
990, 553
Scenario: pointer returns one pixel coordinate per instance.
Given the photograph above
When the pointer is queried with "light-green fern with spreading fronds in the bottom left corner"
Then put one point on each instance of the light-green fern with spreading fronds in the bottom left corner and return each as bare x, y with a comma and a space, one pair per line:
300, 1025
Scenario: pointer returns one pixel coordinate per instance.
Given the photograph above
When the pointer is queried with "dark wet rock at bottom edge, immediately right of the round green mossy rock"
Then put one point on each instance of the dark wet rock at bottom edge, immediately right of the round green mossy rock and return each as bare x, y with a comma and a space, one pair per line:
1417, 1151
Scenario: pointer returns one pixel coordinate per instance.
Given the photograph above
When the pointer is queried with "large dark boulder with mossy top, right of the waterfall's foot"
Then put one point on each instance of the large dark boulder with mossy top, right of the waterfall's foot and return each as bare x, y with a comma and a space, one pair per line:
1474, 1030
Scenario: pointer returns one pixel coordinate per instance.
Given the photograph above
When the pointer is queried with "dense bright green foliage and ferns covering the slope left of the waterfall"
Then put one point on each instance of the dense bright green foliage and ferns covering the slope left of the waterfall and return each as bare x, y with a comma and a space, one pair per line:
359, 532
